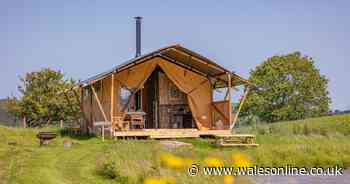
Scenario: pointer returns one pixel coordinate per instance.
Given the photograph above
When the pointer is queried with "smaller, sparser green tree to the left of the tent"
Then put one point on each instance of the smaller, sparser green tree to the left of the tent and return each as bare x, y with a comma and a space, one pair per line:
44, 98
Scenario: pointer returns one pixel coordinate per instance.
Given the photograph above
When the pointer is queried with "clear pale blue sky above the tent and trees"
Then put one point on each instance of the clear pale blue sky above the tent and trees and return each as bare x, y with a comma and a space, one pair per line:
82, 38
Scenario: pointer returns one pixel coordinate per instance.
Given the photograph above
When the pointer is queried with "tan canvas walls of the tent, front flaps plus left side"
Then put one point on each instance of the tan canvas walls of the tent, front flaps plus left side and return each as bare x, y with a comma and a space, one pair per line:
197, 88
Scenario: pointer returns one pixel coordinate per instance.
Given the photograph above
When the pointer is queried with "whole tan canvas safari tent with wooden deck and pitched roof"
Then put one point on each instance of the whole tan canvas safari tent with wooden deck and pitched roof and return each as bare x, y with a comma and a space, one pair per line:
170, 89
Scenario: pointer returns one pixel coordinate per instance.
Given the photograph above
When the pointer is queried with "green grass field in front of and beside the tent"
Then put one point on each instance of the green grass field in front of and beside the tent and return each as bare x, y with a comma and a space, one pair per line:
313, 142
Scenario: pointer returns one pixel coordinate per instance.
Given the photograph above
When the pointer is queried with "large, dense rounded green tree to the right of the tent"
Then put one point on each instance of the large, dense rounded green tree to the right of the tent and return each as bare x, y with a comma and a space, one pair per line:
289, 87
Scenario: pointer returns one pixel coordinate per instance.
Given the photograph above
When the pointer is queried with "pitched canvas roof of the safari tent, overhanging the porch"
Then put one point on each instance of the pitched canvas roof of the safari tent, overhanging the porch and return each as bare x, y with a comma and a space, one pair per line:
182, 57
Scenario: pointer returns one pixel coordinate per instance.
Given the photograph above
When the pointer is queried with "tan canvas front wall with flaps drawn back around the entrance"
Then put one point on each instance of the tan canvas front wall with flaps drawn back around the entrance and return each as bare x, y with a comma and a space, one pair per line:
197, 87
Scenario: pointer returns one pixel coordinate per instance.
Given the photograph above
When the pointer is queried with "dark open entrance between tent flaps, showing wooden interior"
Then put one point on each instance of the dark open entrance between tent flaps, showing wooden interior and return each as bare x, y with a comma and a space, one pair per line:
165, 105
